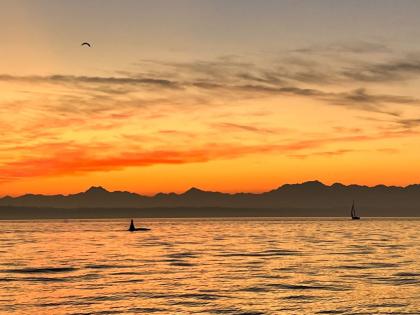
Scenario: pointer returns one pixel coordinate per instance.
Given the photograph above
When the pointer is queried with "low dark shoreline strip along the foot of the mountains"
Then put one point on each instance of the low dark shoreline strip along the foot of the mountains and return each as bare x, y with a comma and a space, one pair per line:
28, 213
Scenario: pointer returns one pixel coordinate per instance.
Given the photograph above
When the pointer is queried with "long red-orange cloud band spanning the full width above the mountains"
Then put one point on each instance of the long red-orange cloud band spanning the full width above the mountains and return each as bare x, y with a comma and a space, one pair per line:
57, 159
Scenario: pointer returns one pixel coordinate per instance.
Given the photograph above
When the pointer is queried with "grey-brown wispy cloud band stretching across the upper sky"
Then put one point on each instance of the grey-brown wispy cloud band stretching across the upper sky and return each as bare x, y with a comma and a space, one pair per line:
201, 82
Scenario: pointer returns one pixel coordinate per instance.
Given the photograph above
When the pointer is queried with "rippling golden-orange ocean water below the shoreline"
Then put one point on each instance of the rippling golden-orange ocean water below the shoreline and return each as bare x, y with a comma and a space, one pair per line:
211, 266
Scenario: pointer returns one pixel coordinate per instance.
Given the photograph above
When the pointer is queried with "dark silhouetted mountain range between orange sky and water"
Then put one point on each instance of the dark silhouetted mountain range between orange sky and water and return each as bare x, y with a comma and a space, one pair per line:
307, 199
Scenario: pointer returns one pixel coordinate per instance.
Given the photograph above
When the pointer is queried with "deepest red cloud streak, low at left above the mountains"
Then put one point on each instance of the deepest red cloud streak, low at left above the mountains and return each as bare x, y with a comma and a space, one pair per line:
80, 161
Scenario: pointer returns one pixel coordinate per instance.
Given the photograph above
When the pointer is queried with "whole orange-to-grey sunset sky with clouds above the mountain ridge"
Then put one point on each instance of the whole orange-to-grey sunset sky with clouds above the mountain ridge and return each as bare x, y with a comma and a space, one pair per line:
221, 95
